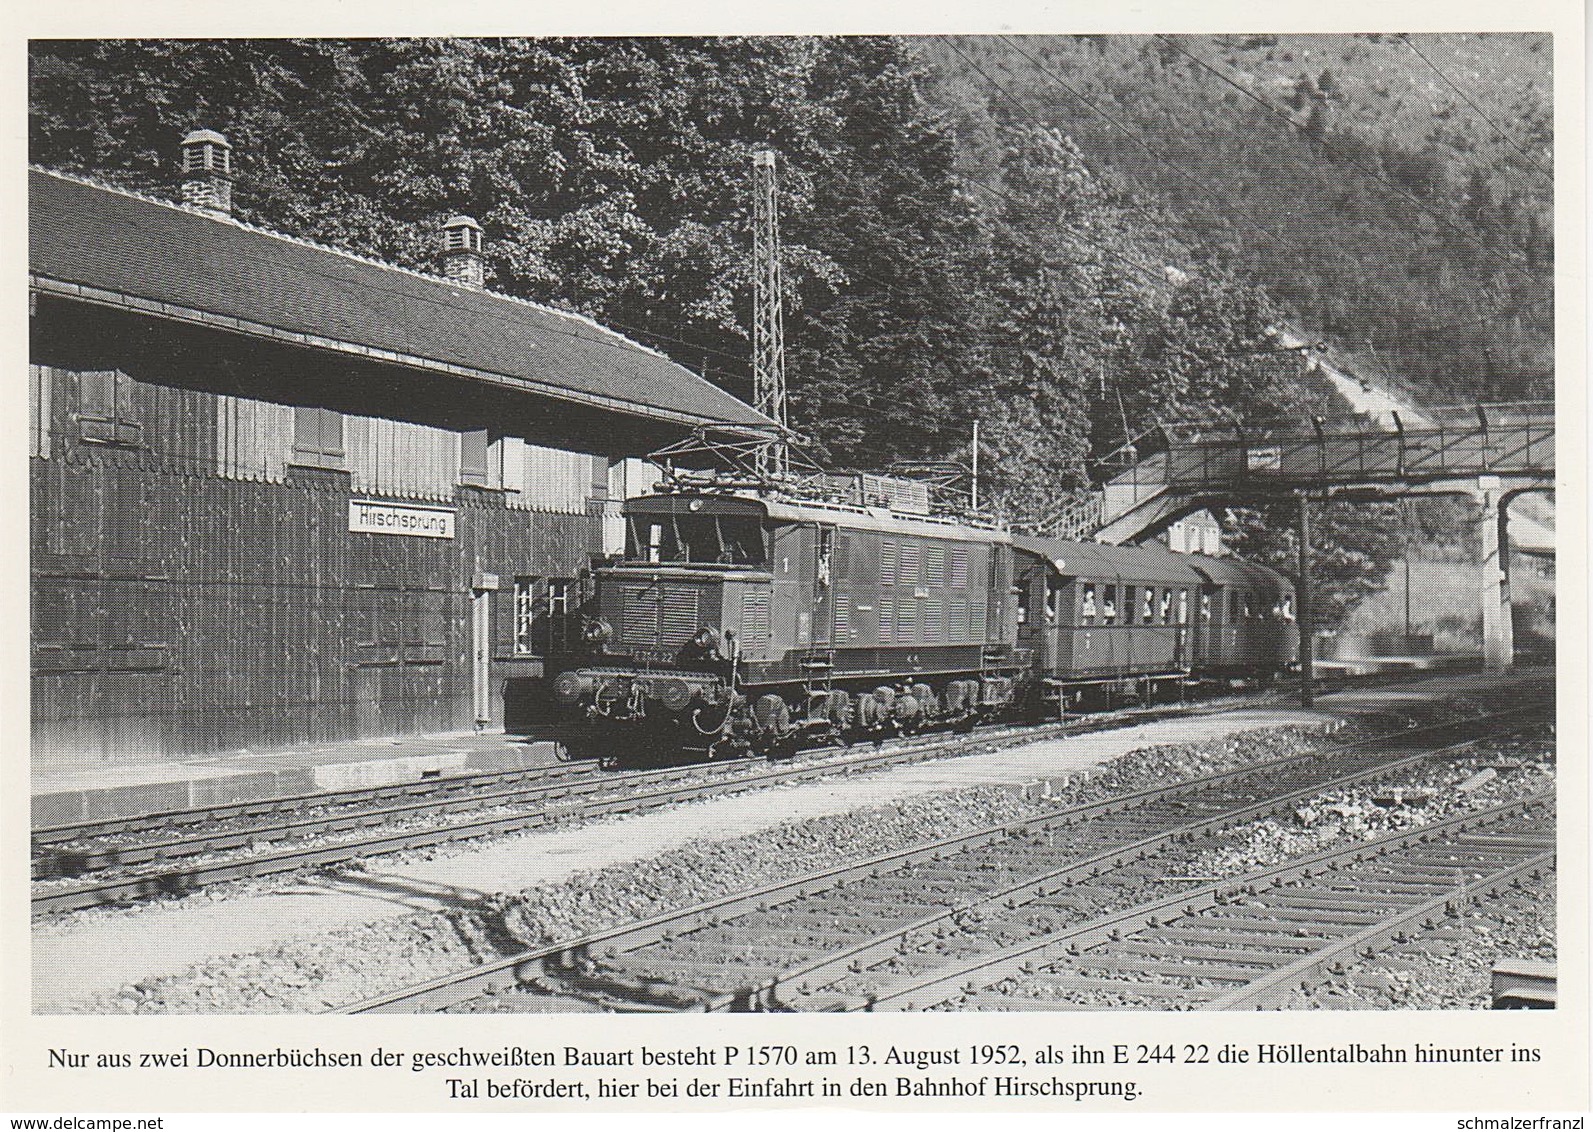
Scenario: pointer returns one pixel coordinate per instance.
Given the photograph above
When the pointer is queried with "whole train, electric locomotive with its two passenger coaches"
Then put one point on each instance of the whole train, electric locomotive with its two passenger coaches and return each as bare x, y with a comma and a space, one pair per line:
748, 623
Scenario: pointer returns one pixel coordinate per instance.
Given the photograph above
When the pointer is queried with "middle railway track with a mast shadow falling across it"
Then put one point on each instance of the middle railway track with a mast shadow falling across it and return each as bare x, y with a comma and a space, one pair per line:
781, 947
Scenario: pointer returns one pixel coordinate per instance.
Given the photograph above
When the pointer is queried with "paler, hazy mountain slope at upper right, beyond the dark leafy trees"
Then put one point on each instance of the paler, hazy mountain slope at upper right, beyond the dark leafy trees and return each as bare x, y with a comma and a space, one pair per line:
1393, 193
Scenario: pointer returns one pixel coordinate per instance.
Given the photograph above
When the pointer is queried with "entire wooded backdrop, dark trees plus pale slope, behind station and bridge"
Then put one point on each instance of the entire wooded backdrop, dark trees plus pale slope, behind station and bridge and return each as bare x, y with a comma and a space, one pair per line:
963, 236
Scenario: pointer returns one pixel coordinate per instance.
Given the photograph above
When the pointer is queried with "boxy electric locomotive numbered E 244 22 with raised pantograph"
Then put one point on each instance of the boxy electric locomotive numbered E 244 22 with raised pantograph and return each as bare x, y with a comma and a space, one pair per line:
743, 623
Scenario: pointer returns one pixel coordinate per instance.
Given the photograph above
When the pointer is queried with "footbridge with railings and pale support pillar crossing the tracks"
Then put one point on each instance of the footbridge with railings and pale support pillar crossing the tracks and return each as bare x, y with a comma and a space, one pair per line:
1487, 453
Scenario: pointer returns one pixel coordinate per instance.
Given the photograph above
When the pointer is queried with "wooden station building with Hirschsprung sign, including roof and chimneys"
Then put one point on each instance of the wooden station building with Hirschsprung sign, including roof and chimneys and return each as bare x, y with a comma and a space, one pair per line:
284, 494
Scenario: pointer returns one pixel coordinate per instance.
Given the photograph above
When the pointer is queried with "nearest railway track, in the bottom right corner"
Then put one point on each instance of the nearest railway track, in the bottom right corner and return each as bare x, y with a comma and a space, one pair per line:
1254, 942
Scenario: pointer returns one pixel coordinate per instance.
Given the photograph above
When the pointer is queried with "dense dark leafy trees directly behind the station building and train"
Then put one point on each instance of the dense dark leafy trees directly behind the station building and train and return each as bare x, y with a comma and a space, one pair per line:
614, 179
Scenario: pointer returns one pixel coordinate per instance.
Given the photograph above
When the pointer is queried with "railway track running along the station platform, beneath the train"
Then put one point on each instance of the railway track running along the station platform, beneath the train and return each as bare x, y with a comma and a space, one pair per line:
206, 846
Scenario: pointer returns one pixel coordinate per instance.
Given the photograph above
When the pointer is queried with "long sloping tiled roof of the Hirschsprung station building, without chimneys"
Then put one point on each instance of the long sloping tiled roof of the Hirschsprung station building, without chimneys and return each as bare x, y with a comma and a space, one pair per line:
101, 244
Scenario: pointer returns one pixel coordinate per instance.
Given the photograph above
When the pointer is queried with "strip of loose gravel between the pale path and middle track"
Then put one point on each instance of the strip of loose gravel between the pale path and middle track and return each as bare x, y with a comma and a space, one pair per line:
353, 964
